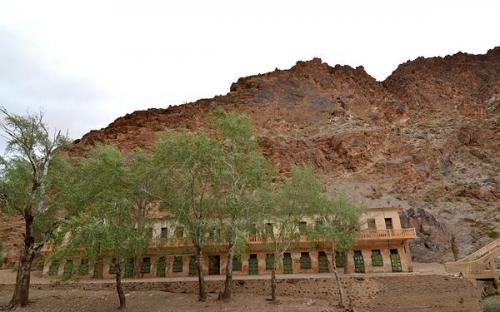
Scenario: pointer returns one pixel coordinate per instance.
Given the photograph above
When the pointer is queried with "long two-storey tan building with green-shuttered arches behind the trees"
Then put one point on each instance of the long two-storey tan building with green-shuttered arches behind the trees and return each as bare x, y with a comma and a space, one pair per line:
382, 245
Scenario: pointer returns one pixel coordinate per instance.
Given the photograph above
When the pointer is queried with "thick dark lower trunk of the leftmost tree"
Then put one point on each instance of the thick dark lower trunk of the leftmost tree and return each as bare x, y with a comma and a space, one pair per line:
22, 289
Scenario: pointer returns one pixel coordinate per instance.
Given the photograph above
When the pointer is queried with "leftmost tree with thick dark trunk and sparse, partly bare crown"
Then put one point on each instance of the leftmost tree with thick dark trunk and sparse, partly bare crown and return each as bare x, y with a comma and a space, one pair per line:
25, 182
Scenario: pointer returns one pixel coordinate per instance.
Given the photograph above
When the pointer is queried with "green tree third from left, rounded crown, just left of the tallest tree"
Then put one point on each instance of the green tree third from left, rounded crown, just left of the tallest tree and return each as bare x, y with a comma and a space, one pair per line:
187, 175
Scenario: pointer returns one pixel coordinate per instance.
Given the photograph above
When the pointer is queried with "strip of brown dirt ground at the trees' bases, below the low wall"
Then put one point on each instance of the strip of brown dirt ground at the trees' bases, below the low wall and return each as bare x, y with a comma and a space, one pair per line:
151, 301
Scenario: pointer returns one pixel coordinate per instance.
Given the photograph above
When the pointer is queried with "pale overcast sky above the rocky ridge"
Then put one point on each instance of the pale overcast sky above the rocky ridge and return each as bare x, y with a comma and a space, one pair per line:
86, 63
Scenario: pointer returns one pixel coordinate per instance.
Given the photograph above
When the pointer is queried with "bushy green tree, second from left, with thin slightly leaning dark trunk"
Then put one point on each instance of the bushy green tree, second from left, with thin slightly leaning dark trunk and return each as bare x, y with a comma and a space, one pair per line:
100, 198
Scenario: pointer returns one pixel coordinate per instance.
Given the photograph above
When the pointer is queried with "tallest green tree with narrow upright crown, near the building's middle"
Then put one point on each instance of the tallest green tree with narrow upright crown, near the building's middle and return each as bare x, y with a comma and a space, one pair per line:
245, 173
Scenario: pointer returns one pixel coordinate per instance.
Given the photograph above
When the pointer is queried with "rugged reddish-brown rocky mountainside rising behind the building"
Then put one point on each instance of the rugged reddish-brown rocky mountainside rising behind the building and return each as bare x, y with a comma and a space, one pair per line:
426, 139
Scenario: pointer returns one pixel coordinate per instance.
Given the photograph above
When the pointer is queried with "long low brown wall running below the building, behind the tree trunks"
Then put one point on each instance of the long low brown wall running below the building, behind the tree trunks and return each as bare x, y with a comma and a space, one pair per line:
396, 292
